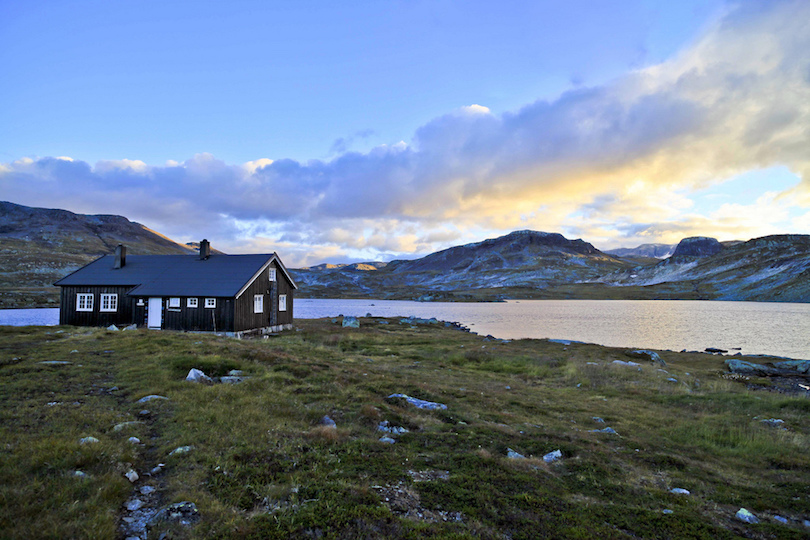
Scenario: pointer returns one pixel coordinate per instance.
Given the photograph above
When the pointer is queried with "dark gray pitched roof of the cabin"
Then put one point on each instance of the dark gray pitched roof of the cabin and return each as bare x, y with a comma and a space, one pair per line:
176, 275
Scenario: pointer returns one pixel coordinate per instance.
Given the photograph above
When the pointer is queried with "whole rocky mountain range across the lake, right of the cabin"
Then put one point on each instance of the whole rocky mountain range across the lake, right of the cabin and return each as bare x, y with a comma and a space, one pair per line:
531, 264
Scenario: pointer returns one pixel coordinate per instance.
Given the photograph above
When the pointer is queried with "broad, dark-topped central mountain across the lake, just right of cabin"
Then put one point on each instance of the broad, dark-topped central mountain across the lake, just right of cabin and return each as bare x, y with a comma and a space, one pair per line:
520, 264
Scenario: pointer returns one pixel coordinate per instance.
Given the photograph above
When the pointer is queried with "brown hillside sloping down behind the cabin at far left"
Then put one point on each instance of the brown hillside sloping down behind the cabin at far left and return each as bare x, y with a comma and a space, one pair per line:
38, 246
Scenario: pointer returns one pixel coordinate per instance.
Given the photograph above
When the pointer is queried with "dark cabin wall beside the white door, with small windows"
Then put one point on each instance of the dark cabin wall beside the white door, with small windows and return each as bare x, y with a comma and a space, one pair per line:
190, 319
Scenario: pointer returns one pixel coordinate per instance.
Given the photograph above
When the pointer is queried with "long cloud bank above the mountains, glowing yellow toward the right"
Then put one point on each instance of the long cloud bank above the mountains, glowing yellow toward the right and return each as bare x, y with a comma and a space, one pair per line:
619, 162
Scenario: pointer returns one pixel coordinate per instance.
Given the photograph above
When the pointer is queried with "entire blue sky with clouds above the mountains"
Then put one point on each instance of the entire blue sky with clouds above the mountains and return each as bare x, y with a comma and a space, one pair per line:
375, 130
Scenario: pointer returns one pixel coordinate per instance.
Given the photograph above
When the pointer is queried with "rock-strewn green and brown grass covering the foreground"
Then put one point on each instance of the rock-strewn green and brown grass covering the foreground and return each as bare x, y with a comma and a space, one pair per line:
262, 466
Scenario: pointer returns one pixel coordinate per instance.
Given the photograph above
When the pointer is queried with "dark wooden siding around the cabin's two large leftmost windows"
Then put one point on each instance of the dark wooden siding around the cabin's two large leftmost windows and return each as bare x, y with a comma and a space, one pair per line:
123, 316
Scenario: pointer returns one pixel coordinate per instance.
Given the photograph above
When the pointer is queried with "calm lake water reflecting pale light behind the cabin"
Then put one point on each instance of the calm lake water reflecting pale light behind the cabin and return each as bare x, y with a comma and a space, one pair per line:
755, 327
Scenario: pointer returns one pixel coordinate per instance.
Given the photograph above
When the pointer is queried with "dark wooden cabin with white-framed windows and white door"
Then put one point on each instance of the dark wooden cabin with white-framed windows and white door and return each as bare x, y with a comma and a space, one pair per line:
210, 292
